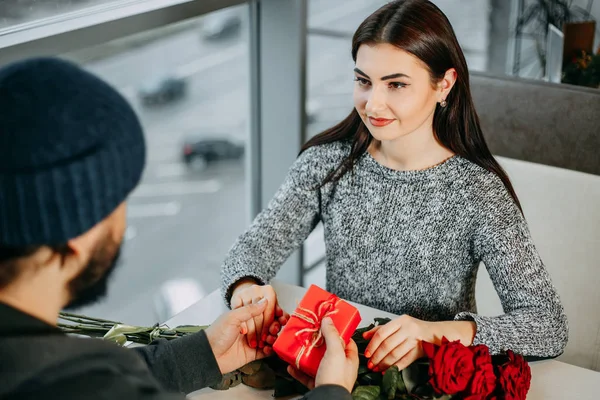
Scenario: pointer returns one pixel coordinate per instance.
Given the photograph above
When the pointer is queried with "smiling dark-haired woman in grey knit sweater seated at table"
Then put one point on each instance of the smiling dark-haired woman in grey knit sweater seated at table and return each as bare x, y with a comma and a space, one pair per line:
411, 200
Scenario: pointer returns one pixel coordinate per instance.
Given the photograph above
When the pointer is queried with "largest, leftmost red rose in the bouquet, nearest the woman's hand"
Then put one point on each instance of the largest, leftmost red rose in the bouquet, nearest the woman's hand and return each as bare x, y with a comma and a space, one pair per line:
451, 366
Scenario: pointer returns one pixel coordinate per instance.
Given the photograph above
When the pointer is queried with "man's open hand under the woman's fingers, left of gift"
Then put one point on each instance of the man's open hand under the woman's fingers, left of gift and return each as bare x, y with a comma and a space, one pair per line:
227, 337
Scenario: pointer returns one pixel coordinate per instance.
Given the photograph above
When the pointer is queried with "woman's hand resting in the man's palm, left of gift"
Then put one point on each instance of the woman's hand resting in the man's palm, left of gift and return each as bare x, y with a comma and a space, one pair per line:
261, 330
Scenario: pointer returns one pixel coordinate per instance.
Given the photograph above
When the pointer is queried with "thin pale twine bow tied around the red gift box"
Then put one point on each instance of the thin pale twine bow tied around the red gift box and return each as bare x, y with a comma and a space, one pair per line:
312, 334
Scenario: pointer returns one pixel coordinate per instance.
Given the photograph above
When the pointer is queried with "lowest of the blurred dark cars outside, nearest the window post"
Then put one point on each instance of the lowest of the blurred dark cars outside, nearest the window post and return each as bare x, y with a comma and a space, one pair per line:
199, 153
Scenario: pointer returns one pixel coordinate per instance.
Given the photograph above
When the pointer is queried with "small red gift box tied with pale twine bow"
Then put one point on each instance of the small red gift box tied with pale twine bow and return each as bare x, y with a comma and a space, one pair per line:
300, 343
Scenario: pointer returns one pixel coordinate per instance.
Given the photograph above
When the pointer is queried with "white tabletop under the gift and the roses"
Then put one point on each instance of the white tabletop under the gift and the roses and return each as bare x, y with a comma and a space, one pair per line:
551, 379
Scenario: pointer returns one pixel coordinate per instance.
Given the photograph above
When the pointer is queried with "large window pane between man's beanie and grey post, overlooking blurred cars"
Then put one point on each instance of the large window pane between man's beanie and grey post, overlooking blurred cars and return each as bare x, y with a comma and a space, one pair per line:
189, 84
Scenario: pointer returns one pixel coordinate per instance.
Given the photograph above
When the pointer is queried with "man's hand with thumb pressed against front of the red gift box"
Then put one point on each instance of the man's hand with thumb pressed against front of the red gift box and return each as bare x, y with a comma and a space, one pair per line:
339, 365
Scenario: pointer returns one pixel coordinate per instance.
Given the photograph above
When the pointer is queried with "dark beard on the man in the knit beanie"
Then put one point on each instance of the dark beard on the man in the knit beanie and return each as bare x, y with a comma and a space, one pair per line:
91, 285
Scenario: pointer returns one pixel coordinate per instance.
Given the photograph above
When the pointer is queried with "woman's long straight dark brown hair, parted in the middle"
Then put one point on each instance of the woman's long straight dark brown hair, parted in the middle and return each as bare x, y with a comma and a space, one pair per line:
421, 29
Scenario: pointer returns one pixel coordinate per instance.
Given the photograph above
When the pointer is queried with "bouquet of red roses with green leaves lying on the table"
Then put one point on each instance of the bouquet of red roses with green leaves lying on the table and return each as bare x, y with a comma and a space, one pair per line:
449, 371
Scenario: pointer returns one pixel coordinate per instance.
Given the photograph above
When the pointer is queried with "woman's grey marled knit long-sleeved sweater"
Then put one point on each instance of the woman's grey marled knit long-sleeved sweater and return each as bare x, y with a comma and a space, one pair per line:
410, 242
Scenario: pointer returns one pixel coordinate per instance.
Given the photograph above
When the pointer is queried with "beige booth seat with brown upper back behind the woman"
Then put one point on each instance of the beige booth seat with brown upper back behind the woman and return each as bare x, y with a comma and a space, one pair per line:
548, 140
